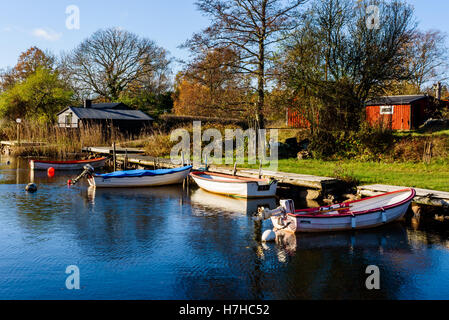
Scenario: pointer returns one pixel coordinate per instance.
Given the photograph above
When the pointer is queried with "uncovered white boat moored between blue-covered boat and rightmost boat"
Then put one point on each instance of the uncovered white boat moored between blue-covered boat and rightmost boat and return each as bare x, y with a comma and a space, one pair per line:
234, 186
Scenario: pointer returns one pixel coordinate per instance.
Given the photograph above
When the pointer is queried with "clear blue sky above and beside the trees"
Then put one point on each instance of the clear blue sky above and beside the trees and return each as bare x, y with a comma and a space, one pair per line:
26, 23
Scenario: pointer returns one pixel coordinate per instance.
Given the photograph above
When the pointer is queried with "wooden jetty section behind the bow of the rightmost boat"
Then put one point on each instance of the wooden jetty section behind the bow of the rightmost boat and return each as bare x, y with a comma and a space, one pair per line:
423, 196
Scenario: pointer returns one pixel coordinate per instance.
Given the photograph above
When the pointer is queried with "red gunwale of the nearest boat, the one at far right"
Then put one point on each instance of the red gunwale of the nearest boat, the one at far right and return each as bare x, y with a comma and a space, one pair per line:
356, 213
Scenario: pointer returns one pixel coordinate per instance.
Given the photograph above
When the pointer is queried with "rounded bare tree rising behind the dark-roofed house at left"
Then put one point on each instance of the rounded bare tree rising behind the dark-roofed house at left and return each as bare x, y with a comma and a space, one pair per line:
112, 60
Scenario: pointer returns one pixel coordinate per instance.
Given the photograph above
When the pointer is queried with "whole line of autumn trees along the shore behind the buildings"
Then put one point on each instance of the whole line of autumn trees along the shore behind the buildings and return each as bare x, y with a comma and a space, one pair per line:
324, 58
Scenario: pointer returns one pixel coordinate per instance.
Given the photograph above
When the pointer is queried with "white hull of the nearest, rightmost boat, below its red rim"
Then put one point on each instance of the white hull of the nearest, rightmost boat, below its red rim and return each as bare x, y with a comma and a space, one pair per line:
368, 218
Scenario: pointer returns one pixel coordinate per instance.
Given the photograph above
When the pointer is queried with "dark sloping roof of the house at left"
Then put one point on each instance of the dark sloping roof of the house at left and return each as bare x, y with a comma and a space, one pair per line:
109, 114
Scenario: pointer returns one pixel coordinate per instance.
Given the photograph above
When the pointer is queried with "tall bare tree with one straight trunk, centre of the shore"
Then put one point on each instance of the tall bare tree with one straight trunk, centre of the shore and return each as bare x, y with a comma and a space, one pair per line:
251, 28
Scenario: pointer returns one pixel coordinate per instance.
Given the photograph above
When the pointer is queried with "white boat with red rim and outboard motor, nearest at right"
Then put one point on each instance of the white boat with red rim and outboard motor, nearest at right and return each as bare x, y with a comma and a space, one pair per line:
360, 214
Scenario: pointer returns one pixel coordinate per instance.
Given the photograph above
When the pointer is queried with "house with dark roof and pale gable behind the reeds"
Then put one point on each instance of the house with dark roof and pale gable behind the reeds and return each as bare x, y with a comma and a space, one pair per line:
117, 114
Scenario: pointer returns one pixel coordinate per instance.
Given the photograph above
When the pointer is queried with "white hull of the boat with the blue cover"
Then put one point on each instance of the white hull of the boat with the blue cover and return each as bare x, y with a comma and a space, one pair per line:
136, 182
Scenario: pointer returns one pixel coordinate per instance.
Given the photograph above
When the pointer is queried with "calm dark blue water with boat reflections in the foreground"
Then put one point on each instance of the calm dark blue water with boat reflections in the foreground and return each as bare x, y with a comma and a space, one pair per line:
166, 243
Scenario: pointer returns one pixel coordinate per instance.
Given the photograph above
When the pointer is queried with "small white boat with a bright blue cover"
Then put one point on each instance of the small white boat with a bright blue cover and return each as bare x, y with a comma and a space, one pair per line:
139, 178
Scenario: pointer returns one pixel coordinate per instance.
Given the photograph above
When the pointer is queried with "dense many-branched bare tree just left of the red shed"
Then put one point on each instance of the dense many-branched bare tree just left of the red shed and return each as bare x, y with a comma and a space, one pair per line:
336, 58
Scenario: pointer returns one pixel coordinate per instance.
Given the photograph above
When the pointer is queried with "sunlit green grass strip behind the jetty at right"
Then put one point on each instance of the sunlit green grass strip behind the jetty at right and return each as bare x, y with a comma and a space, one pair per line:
434, 176
